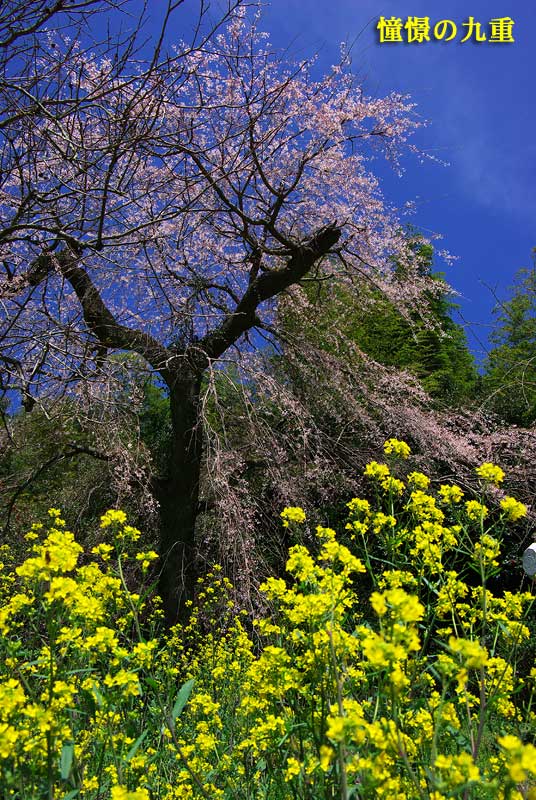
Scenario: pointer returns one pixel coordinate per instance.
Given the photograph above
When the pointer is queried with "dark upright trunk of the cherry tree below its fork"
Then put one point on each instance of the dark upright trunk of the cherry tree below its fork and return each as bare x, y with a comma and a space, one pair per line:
178, 496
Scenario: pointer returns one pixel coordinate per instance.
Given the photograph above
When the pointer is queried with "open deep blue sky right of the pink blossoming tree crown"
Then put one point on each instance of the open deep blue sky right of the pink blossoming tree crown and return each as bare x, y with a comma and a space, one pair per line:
479, 100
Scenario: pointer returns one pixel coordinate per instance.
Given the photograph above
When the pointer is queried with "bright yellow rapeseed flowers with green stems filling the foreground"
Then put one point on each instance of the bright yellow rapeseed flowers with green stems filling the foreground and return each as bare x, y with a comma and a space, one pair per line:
384, 665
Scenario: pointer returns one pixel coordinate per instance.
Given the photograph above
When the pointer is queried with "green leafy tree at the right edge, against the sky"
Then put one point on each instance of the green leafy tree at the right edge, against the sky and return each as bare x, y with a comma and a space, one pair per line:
510, 377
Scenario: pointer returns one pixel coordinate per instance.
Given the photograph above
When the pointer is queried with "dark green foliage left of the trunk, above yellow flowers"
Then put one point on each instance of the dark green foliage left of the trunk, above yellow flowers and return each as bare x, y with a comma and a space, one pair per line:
70, 452
